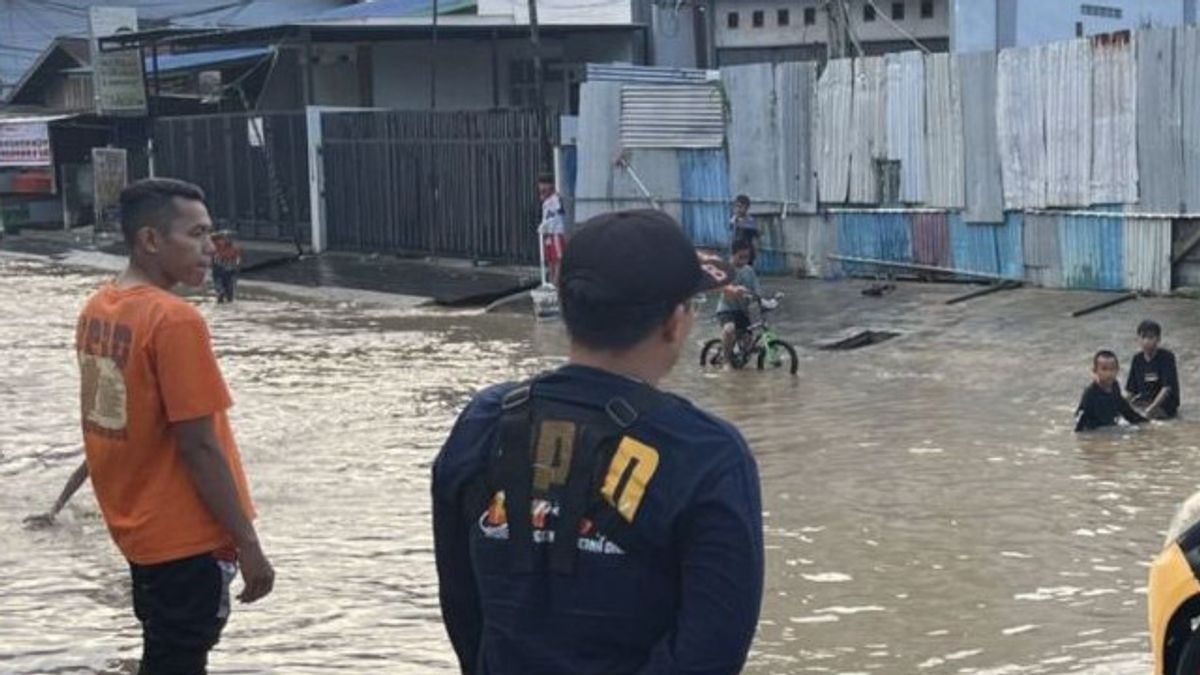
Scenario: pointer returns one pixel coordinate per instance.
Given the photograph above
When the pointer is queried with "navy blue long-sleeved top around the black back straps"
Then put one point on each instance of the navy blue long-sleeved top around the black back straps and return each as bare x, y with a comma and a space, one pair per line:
687, 605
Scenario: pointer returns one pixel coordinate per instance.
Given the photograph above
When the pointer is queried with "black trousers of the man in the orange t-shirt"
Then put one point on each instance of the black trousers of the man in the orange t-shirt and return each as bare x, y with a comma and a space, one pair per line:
183, 607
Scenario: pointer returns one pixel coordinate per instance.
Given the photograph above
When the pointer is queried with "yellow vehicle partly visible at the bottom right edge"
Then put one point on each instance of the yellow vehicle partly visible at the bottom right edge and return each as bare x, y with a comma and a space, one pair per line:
1174, 604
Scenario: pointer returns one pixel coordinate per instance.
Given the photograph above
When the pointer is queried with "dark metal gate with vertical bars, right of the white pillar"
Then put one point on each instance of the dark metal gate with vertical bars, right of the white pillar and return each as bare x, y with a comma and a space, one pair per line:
457, 184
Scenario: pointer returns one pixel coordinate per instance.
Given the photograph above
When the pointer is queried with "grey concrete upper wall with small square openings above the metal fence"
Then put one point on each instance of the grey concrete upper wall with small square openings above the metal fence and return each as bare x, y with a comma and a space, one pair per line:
797, 33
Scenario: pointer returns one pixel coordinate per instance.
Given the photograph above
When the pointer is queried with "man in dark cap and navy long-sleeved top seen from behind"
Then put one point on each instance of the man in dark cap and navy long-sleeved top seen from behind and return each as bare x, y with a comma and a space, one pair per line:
587, 523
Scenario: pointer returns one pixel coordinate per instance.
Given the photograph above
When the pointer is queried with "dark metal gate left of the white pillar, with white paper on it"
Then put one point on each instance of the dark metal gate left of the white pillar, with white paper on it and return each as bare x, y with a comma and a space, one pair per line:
254, 169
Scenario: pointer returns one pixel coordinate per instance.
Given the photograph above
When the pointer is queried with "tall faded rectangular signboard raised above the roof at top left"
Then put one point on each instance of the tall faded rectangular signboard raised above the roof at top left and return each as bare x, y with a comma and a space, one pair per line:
117, 76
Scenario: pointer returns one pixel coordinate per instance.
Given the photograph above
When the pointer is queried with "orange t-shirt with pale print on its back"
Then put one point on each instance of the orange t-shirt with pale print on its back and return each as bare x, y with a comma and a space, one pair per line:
147, 362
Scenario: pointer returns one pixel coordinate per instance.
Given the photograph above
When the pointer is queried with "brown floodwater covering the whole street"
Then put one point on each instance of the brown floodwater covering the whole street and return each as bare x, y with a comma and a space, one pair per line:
928, 507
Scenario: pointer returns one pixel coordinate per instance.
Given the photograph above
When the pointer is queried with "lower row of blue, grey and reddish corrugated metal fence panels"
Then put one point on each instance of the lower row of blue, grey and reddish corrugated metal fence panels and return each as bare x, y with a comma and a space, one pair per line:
1101, 250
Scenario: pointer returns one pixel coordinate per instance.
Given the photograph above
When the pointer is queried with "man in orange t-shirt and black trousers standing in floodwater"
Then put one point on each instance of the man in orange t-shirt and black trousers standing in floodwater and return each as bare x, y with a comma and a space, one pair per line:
161, 453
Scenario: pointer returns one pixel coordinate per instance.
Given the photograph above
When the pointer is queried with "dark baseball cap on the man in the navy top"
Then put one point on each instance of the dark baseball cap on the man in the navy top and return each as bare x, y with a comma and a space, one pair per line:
637, 259
